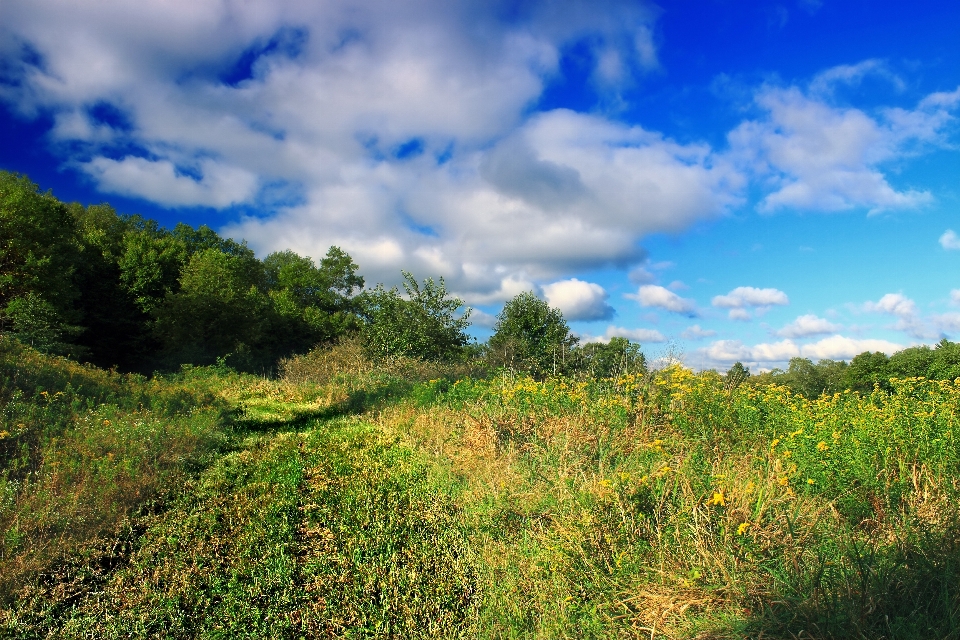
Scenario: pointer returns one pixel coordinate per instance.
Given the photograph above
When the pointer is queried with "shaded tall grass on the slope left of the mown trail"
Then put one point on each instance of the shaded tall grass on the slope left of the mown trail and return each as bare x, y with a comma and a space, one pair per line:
82, 451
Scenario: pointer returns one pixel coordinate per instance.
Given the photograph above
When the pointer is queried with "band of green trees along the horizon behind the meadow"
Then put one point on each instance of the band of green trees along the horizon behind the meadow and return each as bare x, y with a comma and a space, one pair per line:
122, 291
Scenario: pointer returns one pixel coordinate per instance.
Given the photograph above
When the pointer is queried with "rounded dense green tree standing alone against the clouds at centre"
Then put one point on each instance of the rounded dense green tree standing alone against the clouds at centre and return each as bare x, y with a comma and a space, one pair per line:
531, 336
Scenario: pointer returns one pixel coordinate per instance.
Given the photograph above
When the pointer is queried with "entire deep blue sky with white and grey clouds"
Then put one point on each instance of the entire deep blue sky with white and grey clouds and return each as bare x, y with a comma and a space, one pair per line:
719, 180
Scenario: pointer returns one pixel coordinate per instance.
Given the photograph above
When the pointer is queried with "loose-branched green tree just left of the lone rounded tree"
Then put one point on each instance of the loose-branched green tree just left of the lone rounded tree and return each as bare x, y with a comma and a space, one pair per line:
425, 325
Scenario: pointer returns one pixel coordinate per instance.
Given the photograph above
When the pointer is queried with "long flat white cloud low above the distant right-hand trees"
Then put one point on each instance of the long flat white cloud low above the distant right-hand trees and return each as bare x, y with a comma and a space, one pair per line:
836, 347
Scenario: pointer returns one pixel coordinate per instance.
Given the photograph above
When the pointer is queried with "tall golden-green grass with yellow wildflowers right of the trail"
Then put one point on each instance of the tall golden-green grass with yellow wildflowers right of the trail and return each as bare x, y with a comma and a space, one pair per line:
674, 505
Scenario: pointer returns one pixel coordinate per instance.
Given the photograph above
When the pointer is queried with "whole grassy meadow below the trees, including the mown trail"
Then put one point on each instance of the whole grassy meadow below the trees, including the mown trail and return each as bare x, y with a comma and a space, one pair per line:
352, 500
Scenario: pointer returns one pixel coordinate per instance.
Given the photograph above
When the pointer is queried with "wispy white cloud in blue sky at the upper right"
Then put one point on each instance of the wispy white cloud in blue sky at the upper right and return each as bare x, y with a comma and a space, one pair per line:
815, 155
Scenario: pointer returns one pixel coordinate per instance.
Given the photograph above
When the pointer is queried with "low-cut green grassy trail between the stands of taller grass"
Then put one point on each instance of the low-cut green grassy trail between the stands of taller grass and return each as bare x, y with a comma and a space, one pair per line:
330, 530
